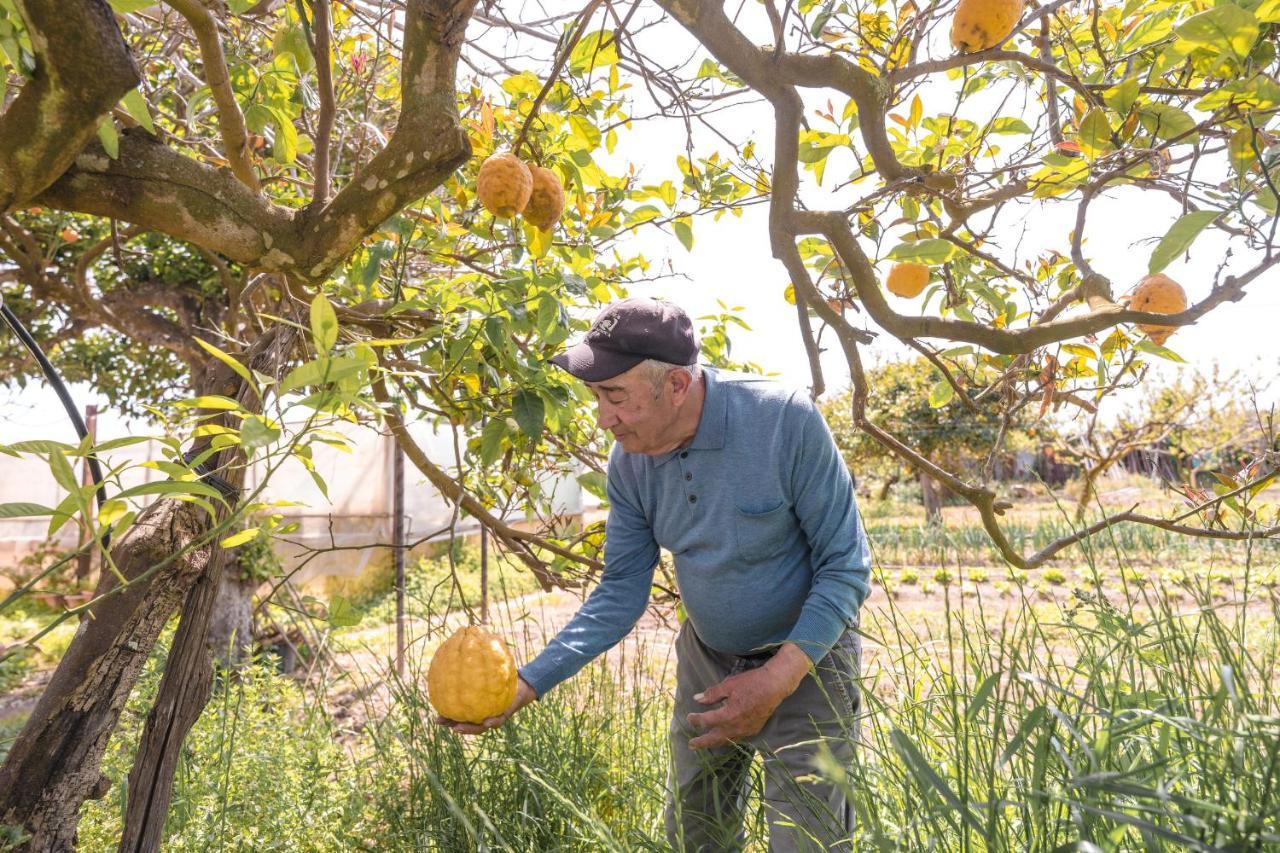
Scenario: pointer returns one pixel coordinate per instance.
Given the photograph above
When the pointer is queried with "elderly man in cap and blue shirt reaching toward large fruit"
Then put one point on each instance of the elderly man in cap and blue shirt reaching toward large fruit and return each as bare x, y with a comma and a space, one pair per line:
742, 482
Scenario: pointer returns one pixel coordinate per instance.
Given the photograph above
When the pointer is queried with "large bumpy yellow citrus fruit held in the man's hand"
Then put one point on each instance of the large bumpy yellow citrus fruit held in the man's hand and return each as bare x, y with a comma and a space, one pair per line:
472, 678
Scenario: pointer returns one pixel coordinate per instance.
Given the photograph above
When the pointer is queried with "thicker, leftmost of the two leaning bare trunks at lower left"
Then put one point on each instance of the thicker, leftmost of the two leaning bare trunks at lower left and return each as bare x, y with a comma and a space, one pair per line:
54, 765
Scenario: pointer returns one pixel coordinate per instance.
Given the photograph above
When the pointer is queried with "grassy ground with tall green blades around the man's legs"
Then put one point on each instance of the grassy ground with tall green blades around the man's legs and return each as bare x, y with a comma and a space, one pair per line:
1124, 699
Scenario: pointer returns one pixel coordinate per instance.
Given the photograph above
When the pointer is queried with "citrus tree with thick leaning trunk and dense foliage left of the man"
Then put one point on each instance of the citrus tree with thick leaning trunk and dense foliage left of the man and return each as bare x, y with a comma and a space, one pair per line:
254, 221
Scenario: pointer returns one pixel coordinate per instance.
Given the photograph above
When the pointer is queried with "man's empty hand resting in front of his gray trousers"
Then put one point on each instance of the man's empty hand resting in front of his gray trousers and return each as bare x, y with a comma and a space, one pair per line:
751, 699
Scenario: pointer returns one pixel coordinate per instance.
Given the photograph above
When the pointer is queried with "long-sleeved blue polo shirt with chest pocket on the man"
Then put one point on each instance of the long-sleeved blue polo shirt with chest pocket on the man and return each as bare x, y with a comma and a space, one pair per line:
758, 513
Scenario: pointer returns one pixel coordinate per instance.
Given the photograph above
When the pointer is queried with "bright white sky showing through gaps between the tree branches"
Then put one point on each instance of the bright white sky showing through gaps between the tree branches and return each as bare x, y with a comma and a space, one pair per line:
732, 263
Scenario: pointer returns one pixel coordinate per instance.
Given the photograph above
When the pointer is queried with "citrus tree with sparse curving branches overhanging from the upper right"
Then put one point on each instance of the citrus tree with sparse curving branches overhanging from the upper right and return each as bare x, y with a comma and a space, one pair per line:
956, 125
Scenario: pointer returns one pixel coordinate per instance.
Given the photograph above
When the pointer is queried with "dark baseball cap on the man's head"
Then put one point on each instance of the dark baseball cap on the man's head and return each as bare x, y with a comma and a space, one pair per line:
629, 332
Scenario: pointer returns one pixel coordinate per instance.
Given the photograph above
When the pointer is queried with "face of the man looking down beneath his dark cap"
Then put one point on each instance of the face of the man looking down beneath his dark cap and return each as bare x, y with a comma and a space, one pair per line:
641, 419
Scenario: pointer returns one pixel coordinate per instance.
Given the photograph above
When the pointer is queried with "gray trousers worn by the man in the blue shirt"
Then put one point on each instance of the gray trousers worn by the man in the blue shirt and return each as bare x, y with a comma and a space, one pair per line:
707, 788
